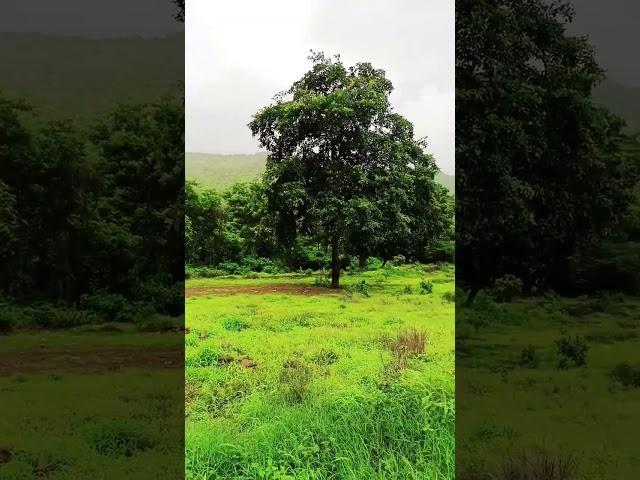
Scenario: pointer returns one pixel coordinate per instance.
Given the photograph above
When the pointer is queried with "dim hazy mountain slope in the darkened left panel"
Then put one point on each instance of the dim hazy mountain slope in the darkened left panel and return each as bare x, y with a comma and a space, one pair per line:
73, 77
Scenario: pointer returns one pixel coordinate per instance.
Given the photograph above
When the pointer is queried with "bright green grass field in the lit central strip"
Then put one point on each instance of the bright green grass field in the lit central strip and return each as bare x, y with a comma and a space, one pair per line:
287, 380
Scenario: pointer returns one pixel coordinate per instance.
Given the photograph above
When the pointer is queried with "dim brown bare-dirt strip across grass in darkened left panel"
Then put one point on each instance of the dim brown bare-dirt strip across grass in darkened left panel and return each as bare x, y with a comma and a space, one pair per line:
88, 361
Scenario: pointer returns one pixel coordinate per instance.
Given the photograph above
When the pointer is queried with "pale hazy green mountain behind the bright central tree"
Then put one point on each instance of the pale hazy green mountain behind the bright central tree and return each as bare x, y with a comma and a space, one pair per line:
220, 171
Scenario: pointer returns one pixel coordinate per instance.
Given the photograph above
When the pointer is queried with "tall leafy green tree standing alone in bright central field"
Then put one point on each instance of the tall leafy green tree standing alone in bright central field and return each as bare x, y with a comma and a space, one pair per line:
341, 162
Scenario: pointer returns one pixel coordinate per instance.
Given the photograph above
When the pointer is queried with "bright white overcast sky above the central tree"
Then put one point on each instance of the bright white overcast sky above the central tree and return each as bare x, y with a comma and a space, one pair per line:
239, 54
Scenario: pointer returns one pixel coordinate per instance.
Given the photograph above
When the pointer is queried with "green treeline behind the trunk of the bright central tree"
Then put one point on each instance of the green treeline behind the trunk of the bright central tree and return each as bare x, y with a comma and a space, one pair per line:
234, 232
